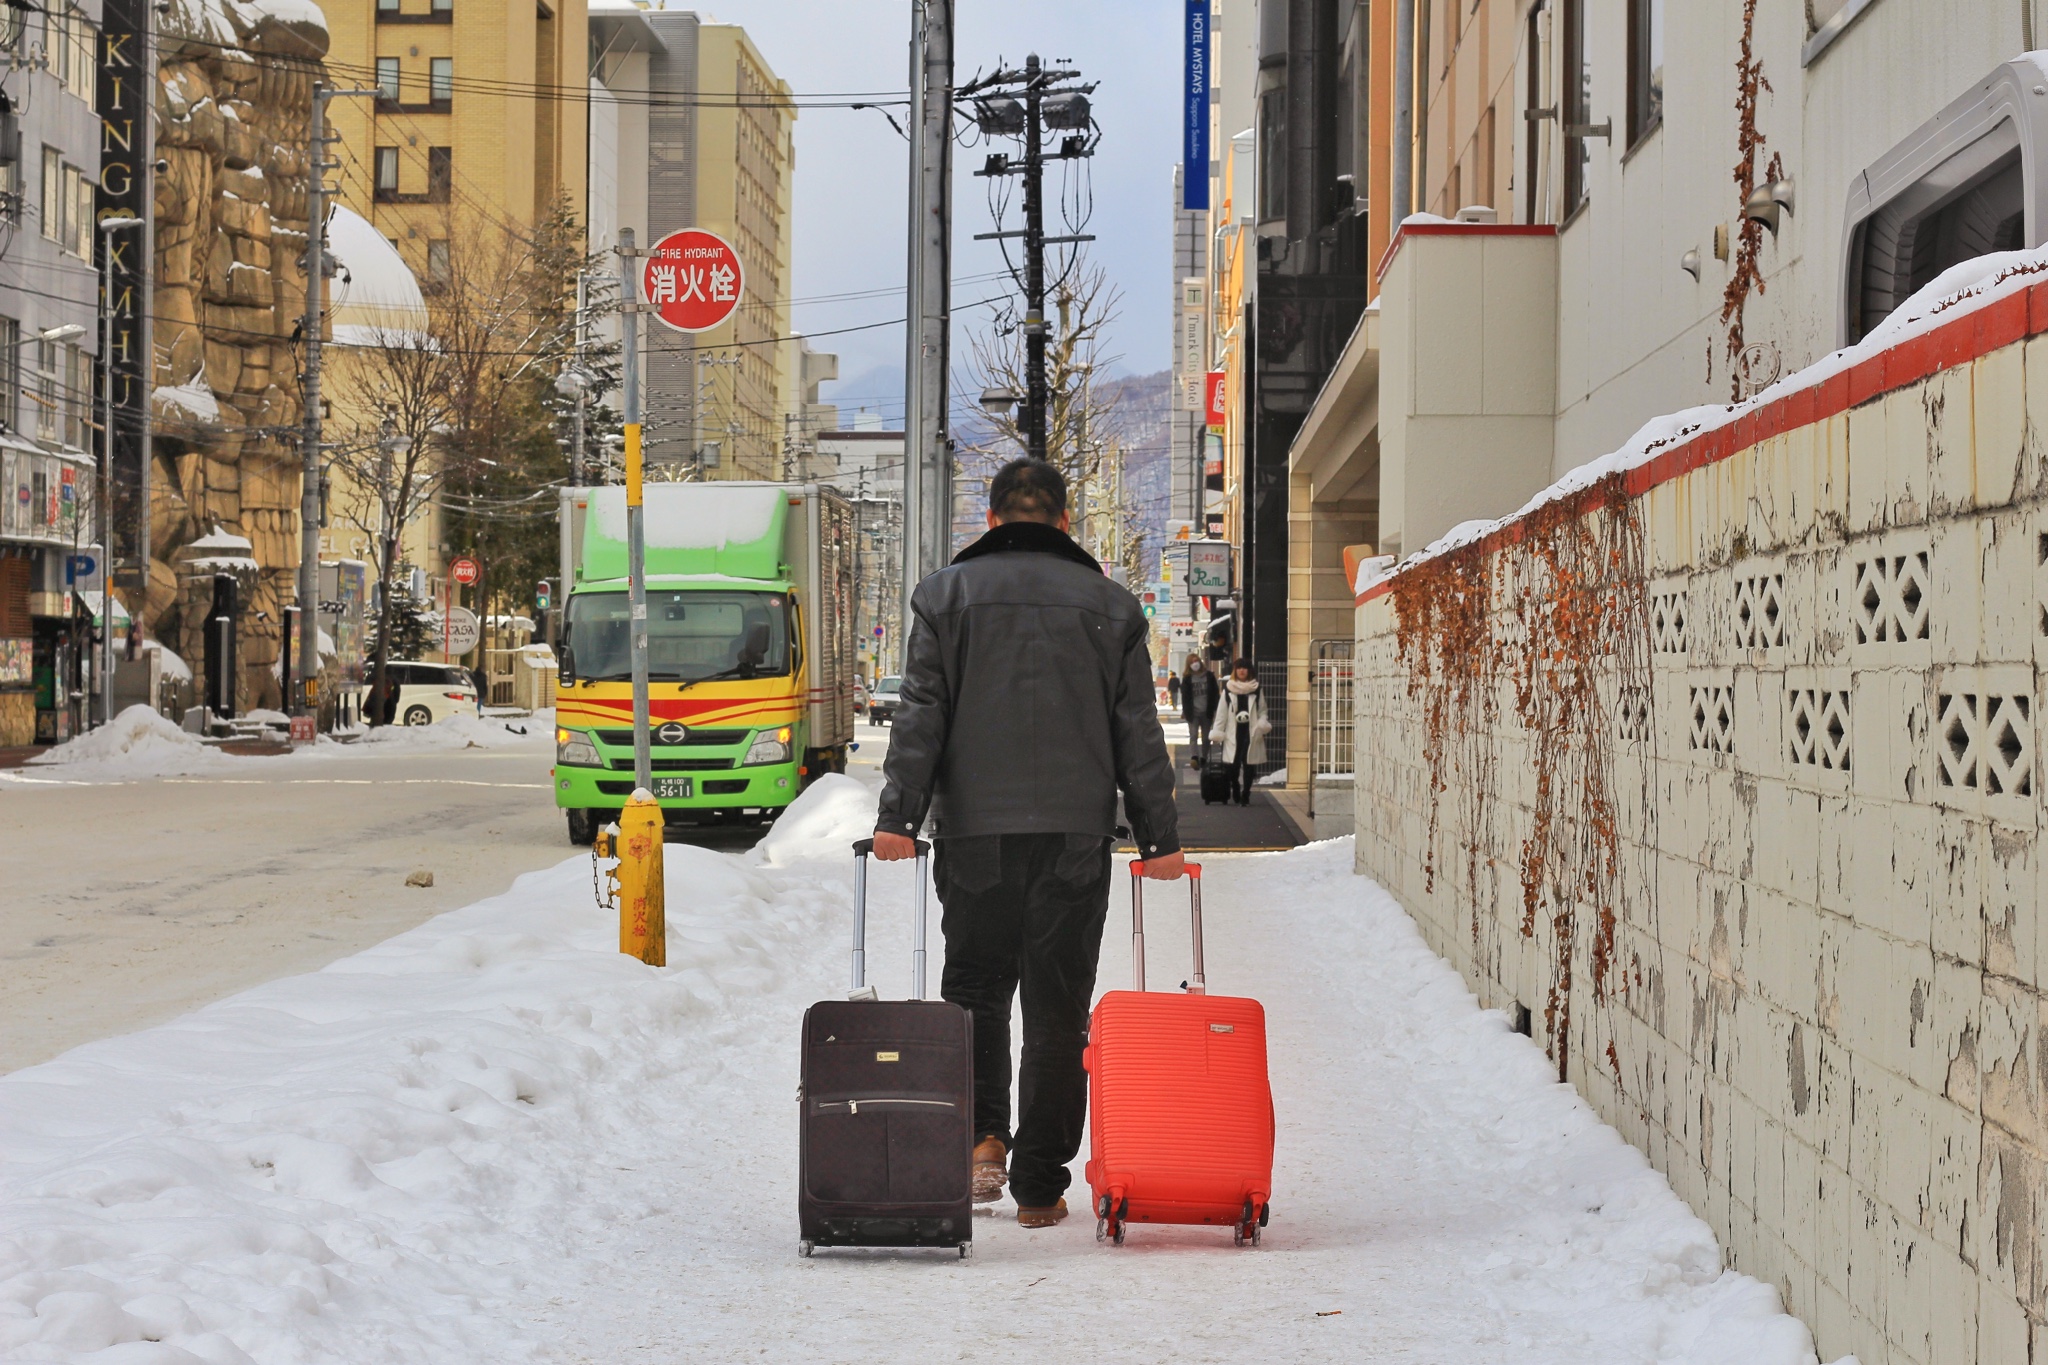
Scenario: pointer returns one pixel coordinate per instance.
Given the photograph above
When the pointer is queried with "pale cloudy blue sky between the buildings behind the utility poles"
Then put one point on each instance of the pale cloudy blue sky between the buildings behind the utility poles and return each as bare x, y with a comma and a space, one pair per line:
851, 169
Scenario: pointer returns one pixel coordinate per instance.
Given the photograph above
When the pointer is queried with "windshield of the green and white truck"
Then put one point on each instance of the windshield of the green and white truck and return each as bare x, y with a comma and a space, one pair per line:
691, 635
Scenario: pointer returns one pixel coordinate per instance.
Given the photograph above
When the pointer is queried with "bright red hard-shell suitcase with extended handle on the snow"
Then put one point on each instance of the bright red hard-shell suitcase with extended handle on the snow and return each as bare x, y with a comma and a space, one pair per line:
1181, 1112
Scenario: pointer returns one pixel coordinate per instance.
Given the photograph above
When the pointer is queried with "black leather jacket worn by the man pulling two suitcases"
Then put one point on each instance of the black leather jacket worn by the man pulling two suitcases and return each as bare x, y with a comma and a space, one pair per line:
1027, 701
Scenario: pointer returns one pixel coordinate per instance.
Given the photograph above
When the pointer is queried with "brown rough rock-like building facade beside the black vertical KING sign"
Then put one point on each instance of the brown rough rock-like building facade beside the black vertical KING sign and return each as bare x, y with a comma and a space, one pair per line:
234, 101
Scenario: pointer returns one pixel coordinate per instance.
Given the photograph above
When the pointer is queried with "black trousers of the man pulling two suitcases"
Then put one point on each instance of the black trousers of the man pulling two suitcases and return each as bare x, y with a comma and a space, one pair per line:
1025, 914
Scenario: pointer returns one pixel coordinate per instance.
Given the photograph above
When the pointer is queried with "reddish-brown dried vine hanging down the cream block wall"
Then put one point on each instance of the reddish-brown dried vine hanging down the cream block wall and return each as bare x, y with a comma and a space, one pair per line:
1574, 611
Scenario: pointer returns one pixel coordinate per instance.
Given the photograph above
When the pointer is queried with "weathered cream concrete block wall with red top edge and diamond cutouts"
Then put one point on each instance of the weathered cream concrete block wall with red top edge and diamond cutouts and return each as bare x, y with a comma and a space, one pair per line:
1822, 1004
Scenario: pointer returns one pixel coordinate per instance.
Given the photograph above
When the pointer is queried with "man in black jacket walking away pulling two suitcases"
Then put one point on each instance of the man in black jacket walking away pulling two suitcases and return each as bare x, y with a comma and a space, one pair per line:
1027, 709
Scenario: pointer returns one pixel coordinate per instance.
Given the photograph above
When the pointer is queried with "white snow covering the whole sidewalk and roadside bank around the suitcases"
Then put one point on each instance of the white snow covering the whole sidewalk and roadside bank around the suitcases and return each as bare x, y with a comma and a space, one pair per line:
495, 1139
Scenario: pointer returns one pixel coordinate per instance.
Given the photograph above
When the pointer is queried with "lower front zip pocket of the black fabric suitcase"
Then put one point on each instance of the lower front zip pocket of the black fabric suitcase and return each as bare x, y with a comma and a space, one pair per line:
886, 1149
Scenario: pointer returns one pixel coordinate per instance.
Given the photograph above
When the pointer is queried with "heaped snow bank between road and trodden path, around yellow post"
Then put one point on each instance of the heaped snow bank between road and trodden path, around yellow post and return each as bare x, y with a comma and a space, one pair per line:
372, 1163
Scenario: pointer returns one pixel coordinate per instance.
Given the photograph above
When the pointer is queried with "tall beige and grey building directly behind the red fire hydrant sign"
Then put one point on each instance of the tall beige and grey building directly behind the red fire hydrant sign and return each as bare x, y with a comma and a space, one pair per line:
691, 128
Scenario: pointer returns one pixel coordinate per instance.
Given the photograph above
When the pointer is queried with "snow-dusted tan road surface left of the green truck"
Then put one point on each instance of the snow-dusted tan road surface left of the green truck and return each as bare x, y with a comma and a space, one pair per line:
151, 875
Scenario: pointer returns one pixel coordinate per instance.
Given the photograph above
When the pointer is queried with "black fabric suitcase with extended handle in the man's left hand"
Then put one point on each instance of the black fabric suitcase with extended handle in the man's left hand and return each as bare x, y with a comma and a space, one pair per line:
888, 1100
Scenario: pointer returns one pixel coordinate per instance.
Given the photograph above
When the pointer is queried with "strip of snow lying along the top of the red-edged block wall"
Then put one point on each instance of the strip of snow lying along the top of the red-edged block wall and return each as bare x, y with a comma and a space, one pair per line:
1955, 294
